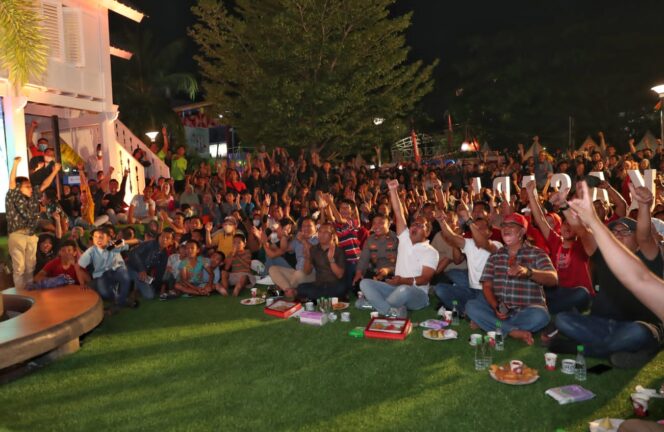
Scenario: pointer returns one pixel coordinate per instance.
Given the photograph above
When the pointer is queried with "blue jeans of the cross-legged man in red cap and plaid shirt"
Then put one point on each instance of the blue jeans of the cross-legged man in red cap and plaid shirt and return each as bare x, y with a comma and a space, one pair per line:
532, 318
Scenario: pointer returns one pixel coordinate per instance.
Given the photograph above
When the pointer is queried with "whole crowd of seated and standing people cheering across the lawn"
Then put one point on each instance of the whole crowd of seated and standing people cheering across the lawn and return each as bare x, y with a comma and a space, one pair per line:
535, 261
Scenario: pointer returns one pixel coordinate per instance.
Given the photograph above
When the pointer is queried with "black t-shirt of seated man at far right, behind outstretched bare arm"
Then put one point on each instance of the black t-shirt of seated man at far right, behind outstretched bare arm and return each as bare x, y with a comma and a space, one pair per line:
614, 301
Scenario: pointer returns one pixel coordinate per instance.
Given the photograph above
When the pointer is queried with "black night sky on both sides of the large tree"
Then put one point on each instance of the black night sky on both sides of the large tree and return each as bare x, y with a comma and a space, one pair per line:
442, 29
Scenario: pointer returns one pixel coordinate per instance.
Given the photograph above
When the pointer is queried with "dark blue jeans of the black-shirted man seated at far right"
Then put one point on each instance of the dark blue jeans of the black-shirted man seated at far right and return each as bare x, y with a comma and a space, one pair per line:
602, 336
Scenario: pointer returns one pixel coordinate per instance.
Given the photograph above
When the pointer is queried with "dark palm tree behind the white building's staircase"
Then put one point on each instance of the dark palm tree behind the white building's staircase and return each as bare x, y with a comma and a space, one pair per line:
144, 86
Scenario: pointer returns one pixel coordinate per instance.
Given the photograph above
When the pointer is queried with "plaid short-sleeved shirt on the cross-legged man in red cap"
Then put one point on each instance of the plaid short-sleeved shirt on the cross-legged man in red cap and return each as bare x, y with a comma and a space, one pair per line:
517, 293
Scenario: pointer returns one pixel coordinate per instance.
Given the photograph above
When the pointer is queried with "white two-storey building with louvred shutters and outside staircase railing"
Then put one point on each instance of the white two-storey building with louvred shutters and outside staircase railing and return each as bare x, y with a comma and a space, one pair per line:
76, 88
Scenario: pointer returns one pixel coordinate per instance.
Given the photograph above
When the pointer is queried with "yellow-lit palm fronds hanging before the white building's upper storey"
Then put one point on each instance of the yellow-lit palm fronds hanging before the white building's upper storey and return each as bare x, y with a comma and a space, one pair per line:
23, 50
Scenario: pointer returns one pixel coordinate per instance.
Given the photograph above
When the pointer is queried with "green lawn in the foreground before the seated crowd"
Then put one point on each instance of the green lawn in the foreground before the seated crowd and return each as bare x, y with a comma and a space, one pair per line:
212, 364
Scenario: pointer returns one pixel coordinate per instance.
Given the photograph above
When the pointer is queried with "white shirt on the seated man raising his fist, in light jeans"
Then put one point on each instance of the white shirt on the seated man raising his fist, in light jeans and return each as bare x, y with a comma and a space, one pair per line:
412, 257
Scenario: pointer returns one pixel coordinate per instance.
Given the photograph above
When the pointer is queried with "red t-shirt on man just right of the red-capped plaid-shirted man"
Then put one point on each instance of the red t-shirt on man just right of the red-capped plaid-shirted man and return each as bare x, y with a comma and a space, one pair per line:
571, 263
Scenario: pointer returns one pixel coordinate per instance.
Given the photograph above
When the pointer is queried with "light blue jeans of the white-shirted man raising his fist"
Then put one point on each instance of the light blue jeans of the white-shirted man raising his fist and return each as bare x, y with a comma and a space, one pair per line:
383, 296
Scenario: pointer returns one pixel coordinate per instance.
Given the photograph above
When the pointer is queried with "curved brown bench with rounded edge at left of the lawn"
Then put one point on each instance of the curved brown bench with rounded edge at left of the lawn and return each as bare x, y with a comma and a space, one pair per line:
51, 322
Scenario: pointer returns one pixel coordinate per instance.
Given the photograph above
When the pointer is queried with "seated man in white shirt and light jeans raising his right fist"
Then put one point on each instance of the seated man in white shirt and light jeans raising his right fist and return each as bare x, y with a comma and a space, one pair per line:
416, 264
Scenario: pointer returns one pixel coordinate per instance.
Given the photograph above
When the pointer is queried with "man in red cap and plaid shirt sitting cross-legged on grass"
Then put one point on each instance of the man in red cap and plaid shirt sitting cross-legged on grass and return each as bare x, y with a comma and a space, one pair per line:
513, 285
